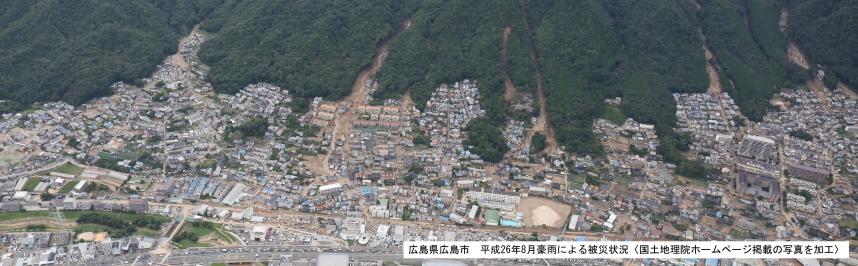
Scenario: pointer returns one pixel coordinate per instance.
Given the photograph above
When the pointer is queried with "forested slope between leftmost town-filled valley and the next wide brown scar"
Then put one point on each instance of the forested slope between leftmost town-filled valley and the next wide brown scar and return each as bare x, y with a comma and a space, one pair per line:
312, 48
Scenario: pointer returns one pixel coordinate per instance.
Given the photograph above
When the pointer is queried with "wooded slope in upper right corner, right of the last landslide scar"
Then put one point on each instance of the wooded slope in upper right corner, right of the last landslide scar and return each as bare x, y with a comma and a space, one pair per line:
826, 32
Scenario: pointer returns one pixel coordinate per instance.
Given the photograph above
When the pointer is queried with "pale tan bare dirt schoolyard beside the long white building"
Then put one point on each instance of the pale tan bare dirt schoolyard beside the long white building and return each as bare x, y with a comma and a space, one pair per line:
541, 211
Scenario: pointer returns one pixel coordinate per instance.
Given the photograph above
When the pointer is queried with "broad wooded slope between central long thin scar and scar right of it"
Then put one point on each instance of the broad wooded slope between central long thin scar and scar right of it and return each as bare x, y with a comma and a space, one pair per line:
641, 50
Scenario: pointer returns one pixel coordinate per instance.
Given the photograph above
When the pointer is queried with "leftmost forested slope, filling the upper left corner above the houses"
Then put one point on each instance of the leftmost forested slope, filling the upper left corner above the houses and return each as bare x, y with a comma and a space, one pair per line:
73, 50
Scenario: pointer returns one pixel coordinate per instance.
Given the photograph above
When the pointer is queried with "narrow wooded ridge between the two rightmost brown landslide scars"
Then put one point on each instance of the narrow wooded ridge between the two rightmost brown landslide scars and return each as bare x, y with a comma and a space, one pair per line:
750, 59
